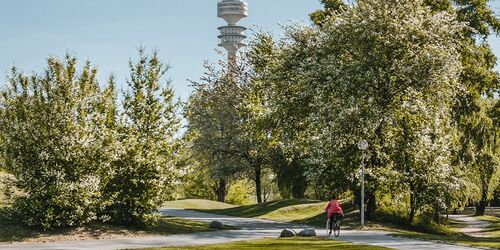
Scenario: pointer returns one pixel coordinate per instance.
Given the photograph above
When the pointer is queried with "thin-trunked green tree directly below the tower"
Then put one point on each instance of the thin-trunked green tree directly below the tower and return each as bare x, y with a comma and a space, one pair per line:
214, 119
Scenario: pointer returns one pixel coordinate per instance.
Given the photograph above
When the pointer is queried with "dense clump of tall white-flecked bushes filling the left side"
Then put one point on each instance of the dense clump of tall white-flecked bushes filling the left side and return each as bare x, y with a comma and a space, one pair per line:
73, 160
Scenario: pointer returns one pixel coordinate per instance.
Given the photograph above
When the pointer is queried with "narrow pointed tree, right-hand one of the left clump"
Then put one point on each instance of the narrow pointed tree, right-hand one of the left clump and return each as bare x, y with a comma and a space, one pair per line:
142, 174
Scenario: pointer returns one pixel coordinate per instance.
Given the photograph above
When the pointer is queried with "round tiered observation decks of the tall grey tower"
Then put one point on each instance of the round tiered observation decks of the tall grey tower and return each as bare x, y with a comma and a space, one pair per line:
231, 36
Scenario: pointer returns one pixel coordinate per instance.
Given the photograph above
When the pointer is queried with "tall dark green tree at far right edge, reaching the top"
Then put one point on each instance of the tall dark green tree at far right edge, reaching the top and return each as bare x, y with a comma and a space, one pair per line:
480, 79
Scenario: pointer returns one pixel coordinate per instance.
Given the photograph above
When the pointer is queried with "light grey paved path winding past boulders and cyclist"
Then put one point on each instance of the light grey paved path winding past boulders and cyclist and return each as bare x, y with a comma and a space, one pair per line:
250, 229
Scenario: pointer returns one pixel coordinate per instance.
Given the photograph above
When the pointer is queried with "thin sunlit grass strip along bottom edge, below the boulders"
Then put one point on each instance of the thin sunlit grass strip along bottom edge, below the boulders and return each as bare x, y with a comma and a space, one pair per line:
285, 244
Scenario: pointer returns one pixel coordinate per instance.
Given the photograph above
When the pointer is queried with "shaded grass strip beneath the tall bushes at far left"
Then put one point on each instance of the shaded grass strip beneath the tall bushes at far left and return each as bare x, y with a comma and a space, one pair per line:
12, 231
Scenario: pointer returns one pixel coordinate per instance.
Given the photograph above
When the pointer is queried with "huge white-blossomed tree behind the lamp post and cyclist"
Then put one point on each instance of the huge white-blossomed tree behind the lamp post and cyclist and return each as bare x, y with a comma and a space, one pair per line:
386, 71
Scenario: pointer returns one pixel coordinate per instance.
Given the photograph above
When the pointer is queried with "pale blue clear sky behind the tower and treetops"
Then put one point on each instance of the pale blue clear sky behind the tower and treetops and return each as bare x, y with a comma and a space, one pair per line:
108, 32
